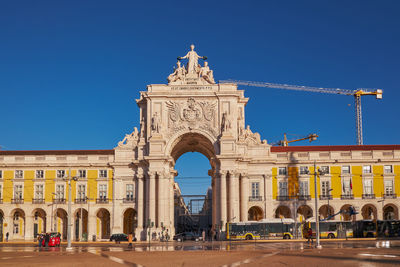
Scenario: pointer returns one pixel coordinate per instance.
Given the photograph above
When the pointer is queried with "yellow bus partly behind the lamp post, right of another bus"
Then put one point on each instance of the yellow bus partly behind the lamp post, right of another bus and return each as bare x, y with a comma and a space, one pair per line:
330, 229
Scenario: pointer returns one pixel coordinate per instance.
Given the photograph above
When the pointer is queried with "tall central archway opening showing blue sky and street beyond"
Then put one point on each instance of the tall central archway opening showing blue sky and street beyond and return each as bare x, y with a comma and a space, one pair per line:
193, 187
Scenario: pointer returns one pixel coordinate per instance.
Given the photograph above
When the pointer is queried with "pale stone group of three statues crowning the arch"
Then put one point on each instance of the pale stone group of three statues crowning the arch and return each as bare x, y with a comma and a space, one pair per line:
194, 73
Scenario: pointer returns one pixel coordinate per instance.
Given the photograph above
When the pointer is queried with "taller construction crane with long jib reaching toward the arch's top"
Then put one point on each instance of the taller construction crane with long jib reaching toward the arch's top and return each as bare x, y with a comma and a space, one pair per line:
356, 93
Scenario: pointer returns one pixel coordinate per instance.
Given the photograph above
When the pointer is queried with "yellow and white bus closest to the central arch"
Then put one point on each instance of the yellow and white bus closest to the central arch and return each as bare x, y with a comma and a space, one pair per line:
264, 229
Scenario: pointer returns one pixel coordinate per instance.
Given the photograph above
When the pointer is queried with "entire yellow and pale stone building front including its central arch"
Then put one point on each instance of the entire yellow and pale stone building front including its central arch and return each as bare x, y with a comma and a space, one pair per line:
131, 187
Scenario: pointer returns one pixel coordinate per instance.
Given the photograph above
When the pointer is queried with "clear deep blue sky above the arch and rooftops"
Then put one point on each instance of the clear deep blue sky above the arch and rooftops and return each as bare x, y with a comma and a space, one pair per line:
71, 70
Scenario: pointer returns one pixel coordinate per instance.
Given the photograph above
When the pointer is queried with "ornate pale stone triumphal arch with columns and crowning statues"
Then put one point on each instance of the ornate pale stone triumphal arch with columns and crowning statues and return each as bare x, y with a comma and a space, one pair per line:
192, 113
